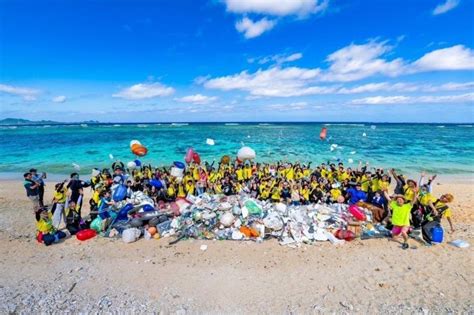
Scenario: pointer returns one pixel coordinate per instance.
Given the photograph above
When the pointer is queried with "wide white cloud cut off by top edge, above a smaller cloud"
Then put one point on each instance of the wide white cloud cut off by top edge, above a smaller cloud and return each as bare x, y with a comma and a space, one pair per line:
277, 7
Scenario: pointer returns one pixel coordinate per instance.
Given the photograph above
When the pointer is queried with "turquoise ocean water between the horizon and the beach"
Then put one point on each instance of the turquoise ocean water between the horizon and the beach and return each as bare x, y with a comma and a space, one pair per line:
444, 149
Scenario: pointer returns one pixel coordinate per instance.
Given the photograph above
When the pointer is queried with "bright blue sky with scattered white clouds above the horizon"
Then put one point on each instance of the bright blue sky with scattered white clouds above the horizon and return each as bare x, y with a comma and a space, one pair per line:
237, 60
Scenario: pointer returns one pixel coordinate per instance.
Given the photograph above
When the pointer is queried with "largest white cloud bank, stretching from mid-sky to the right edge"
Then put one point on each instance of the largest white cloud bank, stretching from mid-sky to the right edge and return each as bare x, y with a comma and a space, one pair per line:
351, 63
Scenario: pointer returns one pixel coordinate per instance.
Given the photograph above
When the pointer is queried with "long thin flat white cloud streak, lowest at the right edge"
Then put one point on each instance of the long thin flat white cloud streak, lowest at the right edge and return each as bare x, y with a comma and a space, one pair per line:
401, 99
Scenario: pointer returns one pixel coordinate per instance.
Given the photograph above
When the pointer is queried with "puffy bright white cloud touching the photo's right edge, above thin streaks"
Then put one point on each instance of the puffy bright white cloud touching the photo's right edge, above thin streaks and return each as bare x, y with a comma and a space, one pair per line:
452, 58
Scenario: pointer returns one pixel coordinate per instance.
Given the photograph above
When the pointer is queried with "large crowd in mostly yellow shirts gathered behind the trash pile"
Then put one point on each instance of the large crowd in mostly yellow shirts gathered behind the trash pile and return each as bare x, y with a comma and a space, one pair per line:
410, 205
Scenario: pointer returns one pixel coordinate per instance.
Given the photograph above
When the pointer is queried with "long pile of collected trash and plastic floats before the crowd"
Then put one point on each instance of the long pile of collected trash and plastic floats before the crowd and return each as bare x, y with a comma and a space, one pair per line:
238, 218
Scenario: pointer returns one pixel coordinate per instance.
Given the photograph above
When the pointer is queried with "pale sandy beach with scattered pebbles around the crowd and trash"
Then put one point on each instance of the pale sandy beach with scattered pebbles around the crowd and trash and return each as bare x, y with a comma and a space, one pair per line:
372, 276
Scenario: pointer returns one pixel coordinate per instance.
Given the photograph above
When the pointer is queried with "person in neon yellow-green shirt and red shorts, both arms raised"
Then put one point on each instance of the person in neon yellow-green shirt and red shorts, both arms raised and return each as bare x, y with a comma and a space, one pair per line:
400, 209
